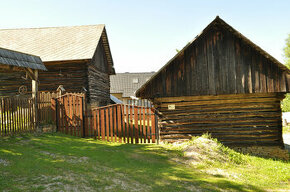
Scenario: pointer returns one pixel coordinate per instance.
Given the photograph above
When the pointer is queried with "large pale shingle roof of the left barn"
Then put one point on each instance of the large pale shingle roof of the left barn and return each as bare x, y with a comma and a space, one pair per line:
58, 43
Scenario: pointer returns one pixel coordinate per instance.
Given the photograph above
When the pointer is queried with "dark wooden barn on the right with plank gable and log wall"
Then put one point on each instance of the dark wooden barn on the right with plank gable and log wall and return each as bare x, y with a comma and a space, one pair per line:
221, 83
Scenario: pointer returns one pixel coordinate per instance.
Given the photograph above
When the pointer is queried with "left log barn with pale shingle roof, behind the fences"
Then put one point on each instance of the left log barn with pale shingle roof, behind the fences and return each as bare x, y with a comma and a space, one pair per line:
77, 57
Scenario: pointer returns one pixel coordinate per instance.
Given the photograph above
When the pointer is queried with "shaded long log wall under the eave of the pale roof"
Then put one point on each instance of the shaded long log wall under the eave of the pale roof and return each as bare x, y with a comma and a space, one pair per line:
72, 75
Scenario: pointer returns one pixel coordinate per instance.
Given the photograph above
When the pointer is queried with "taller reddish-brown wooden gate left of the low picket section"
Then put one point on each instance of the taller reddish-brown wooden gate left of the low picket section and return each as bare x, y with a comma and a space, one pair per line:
69, 113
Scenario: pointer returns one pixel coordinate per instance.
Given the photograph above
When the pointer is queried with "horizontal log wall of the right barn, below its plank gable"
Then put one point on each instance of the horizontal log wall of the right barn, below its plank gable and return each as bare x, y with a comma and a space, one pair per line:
238, 120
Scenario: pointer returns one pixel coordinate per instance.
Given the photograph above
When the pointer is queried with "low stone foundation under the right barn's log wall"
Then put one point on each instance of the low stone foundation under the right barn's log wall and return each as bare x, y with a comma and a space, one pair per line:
265, 151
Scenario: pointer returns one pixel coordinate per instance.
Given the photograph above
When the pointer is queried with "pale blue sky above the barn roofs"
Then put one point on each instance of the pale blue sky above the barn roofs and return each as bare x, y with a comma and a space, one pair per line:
144, 34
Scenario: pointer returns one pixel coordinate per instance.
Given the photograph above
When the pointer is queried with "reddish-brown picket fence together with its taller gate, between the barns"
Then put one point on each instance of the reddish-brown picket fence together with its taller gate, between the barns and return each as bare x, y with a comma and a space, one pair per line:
116, 123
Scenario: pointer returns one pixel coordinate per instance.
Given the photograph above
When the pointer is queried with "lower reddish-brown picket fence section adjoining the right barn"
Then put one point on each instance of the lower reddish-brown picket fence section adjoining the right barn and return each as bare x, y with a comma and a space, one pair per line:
125, 124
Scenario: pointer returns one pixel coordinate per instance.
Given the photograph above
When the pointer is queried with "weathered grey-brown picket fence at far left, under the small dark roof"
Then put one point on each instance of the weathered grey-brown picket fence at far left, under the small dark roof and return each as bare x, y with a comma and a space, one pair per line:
16, 115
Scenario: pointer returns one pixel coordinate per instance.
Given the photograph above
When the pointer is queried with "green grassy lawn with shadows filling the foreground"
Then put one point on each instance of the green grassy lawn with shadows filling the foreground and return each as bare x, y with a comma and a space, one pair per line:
55, 162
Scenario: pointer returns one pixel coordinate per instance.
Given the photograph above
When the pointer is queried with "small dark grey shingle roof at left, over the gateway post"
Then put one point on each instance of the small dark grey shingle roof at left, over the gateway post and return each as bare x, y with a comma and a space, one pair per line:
21, 60
